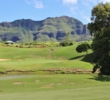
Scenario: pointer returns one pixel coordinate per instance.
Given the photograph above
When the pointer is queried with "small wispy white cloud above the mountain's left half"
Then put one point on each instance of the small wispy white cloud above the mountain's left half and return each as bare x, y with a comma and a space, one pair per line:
36, 3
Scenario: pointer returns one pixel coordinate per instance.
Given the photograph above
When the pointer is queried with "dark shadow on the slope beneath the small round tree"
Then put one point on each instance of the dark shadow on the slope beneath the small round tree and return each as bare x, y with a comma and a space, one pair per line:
85, 58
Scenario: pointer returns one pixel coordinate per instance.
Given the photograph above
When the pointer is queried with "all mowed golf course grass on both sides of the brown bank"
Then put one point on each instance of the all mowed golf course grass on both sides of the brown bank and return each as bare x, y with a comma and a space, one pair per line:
50, 86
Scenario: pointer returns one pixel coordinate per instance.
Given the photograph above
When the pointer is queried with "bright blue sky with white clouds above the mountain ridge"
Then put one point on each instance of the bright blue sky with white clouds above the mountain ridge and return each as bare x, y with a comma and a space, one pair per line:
37, 10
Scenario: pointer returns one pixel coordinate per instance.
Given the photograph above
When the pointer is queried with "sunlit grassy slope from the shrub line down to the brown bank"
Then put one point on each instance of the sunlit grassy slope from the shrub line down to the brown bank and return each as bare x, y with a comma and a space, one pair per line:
39, 58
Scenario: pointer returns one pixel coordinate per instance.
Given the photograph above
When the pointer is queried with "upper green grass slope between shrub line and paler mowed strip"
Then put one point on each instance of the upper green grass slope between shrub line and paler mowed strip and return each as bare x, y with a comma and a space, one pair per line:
40, 53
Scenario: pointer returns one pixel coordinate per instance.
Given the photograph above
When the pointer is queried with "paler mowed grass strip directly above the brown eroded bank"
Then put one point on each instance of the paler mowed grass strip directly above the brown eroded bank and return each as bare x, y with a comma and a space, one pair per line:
35, 64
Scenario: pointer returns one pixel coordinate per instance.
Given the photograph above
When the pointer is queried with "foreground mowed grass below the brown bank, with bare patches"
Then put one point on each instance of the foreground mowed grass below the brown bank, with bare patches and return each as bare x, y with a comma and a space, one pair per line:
55, 87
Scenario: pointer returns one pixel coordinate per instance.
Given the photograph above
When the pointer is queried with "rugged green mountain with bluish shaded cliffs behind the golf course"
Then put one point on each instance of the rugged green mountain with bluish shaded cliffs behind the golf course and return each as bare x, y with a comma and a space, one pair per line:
50, 29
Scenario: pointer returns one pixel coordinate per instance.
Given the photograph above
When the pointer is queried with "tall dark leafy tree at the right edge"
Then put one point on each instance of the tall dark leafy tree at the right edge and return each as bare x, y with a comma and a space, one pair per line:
100, 28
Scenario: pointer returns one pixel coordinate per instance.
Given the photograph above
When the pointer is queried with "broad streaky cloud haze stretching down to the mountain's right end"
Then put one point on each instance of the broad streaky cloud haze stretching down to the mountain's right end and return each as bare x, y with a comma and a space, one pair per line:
75, 7
